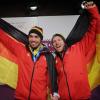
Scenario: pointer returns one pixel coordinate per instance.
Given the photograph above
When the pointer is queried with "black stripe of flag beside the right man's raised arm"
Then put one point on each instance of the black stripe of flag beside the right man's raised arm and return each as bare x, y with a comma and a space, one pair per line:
79, 29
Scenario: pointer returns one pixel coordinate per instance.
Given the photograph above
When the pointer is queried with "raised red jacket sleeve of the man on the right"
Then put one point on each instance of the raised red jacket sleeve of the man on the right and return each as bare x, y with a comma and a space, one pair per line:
90, 36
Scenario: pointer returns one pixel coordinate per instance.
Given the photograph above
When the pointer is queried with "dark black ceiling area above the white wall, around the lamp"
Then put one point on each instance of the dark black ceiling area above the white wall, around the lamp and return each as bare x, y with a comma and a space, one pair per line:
19, 8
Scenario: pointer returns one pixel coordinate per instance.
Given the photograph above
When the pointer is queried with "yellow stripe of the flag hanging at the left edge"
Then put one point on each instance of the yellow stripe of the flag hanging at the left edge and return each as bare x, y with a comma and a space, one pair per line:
8, 72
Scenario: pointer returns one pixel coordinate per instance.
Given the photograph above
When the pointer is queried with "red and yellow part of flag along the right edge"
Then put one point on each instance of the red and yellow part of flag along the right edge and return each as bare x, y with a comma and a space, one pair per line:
94, 72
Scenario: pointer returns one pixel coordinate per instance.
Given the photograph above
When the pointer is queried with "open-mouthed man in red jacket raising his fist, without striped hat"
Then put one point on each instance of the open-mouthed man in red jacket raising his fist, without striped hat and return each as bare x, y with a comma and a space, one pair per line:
71, 61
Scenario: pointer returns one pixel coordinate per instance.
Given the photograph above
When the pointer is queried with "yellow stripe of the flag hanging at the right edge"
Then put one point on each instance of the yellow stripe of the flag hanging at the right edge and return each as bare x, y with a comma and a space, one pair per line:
94, 73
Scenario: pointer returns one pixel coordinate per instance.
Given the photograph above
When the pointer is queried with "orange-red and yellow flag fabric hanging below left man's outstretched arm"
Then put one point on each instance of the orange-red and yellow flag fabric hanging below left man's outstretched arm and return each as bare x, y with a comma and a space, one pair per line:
8, 67
